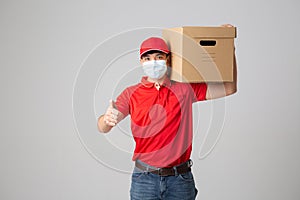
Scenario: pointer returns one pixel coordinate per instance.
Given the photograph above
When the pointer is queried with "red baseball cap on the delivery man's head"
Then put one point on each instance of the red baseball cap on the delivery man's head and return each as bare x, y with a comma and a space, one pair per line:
154, 43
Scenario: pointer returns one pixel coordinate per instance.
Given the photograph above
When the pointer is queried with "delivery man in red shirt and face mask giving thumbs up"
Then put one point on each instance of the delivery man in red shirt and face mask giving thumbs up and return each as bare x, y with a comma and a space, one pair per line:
161, 124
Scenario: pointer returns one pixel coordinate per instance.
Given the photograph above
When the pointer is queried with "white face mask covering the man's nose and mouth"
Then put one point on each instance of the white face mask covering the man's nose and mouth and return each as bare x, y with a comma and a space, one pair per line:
155, 68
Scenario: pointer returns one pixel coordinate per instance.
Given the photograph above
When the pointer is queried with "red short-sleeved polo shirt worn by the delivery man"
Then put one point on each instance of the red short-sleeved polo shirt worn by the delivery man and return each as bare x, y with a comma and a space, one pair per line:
161, 119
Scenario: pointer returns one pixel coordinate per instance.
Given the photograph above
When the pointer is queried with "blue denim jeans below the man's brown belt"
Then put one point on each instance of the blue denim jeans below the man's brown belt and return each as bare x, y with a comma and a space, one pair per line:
148, 186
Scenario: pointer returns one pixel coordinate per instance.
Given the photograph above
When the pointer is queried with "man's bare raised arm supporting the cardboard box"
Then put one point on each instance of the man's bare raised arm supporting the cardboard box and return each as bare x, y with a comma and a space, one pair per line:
218, 90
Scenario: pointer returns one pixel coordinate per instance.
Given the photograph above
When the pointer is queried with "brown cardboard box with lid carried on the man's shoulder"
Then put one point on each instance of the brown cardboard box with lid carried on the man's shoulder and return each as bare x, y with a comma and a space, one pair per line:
201, 54
